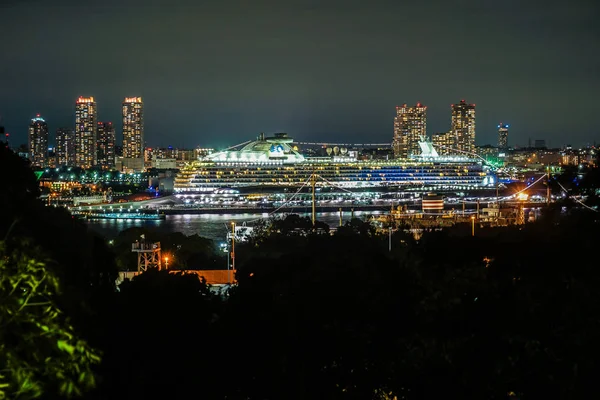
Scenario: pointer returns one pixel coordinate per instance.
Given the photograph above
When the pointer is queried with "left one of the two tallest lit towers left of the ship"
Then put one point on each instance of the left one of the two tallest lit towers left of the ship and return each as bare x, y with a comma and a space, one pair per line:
86, 115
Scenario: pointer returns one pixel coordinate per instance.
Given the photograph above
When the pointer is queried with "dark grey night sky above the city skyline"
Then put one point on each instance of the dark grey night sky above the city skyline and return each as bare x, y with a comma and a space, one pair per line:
223, 71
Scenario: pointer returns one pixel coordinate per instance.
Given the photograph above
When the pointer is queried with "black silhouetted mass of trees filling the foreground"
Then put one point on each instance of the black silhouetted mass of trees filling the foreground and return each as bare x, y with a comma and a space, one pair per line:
322, 315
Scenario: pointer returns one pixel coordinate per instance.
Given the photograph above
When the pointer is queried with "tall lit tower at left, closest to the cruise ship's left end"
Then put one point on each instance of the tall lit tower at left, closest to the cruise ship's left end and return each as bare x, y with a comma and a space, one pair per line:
133, 127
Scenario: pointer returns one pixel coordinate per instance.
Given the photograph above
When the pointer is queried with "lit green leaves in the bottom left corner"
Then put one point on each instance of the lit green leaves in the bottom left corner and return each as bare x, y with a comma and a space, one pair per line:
40, 352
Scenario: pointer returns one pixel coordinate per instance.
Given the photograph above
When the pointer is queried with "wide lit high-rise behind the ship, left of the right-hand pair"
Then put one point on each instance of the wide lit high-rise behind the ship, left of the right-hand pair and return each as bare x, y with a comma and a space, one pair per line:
410, 127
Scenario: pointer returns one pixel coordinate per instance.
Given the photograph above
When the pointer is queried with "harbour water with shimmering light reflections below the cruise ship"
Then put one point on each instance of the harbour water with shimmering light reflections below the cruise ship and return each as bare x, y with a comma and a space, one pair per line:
212, 226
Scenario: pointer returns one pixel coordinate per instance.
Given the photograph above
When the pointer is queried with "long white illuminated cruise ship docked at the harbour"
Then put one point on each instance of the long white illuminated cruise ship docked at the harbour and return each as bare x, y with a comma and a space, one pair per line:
274, 162
